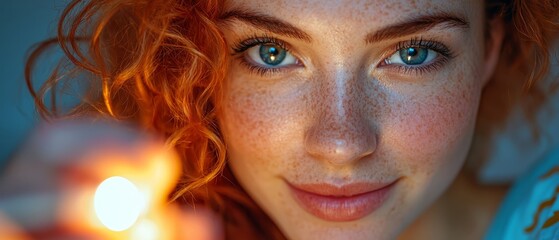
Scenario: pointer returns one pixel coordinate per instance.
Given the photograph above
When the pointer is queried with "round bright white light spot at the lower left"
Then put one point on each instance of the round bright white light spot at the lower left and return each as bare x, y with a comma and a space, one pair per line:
118, 203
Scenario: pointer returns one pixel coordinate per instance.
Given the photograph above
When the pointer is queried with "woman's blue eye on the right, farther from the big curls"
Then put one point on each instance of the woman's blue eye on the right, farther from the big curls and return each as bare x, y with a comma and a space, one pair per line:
412, 56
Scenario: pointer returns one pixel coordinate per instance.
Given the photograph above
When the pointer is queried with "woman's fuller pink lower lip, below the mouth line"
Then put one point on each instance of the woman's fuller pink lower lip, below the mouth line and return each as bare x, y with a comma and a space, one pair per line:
341, 209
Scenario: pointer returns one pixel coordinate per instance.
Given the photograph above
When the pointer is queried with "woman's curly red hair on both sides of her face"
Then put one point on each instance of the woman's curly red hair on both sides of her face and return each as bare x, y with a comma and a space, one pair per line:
162, 63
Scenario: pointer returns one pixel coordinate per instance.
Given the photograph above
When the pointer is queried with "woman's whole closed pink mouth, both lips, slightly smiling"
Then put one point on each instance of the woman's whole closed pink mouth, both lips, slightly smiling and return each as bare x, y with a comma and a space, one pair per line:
341, 203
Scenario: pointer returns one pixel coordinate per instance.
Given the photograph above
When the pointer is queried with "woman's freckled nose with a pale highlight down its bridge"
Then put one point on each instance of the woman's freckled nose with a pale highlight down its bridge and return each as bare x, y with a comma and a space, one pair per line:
341, 132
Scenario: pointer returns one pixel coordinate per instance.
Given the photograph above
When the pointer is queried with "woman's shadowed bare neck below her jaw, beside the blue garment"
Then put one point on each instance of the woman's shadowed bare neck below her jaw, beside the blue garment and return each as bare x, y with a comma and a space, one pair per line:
465, 211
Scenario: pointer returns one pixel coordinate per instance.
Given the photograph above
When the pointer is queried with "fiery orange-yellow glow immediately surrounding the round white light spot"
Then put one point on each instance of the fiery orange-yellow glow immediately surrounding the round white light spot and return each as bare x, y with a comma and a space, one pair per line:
127, 197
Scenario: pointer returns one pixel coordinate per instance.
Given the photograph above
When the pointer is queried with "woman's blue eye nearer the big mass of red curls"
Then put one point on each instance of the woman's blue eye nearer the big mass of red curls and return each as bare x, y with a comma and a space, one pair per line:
270, 55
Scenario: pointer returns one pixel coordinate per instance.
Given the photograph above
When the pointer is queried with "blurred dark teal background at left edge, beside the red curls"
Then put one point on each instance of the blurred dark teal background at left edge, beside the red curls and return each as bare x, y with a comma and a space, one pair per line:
23, 23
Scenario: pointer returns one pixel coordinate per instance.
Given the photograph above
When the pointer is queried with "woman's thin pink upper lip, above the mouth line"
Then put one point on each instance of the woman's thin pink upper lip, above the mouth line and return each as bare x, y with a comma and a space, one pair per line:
346, 190
